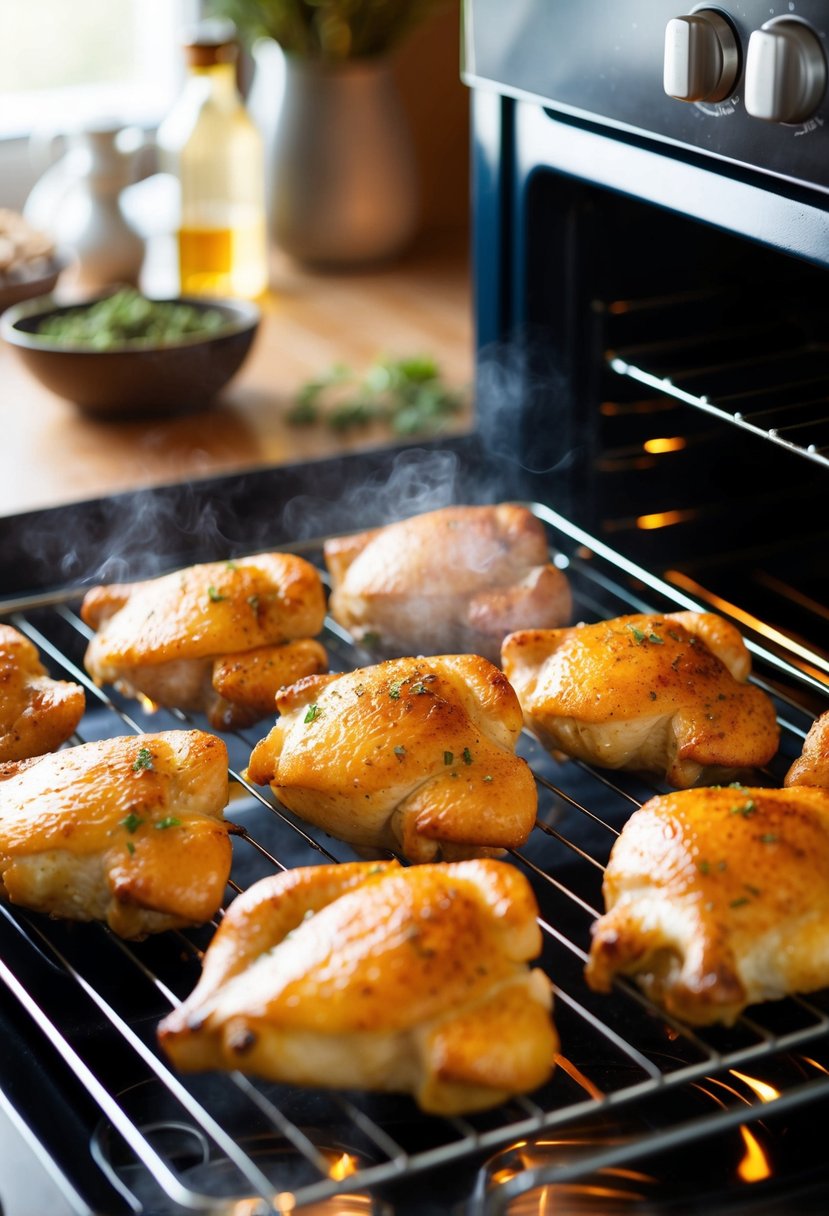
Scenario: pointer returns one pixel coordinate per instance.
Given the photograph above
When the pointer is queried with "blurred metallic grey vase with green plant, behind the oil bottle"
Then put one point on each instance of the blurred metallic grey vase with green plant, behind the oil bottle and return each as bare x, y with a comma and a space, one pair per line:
342, 181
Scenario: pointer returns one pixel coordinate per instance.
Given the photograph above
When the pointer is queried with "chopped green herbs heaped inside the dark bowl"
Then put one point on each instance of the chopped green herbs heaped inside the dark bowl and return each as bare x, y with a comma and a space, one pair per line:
131, 319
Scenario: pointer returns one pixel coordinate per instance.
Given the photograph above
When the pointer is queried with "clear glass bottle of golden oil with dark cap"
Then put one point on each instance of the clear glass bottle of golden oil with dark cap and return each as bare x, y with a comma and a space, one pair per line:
211, 145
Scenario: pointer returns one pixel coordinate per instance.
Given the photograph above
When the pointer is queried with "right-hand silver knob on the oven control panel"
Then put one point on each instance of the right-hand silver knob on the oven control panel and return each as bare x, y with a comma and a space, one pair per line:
786, 72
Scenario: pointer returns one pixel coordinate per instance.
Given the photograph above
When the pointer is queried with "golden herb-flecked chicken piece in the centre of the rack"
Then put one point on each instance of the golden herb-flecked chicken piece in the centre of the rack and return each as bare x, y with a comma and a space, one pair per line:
416, 756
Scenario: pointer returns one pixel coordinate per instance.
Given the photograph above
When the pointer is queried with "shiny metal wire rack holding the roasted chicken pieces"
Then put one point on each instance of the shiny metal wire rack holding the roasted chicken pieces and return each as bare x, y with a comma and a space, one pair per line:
149, 1141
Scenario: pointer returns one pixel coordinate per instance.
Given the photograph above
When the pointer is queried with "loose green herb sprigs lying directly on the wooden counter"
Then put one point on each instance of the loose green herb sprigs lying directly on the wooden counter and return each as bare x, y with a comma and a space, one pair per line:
409, 396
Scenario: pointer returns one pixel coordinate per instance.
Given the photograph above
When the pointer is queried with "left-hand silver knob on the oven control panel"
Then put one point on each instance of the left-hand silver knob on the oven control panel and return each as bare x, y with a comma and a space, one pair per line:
702, 58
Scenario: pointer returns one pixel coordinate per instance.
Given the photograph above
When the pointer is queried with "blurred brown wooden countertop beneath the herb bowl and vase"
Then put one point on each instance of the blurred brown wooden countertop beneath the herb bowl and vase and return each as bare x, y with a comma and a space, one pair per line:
421, 305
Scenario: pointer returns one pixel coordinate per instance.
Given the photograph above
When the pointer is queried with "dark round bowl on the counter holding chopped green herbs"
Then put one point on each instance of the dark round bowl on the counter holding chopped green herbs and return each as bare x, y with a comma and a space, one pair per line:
136, 381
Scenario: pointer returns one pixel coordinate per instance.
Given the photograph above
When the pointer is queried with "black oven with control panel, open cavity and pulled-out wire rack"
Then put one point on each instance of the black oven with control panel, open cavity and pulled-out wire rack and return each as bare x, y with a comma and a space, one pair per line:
653, 380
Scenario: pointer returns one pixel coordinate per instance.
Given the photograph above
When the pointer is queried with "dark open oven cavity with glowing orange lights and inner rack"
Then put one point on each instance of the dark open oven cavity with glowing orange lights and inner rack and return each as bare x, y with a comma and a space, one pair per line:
674, 387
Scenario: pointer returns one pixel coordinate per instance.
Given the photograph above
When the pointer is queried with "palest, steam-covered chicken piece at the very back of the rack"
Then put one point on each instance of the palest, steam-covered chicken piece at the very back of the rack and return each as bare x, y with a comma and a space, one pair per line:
452, 581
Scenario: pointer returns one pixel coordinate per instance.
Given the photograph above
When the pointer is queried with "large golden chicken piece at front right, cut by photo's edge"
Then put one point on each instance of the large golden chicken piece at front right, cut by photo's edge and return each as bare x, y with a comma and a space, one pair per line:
718, 899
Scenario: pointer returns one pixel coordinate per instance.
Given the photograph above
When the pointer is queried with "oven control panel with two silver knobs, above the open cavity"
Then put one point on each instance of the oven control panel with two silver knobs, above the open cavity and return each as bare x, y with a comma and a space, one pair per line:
746, 82
